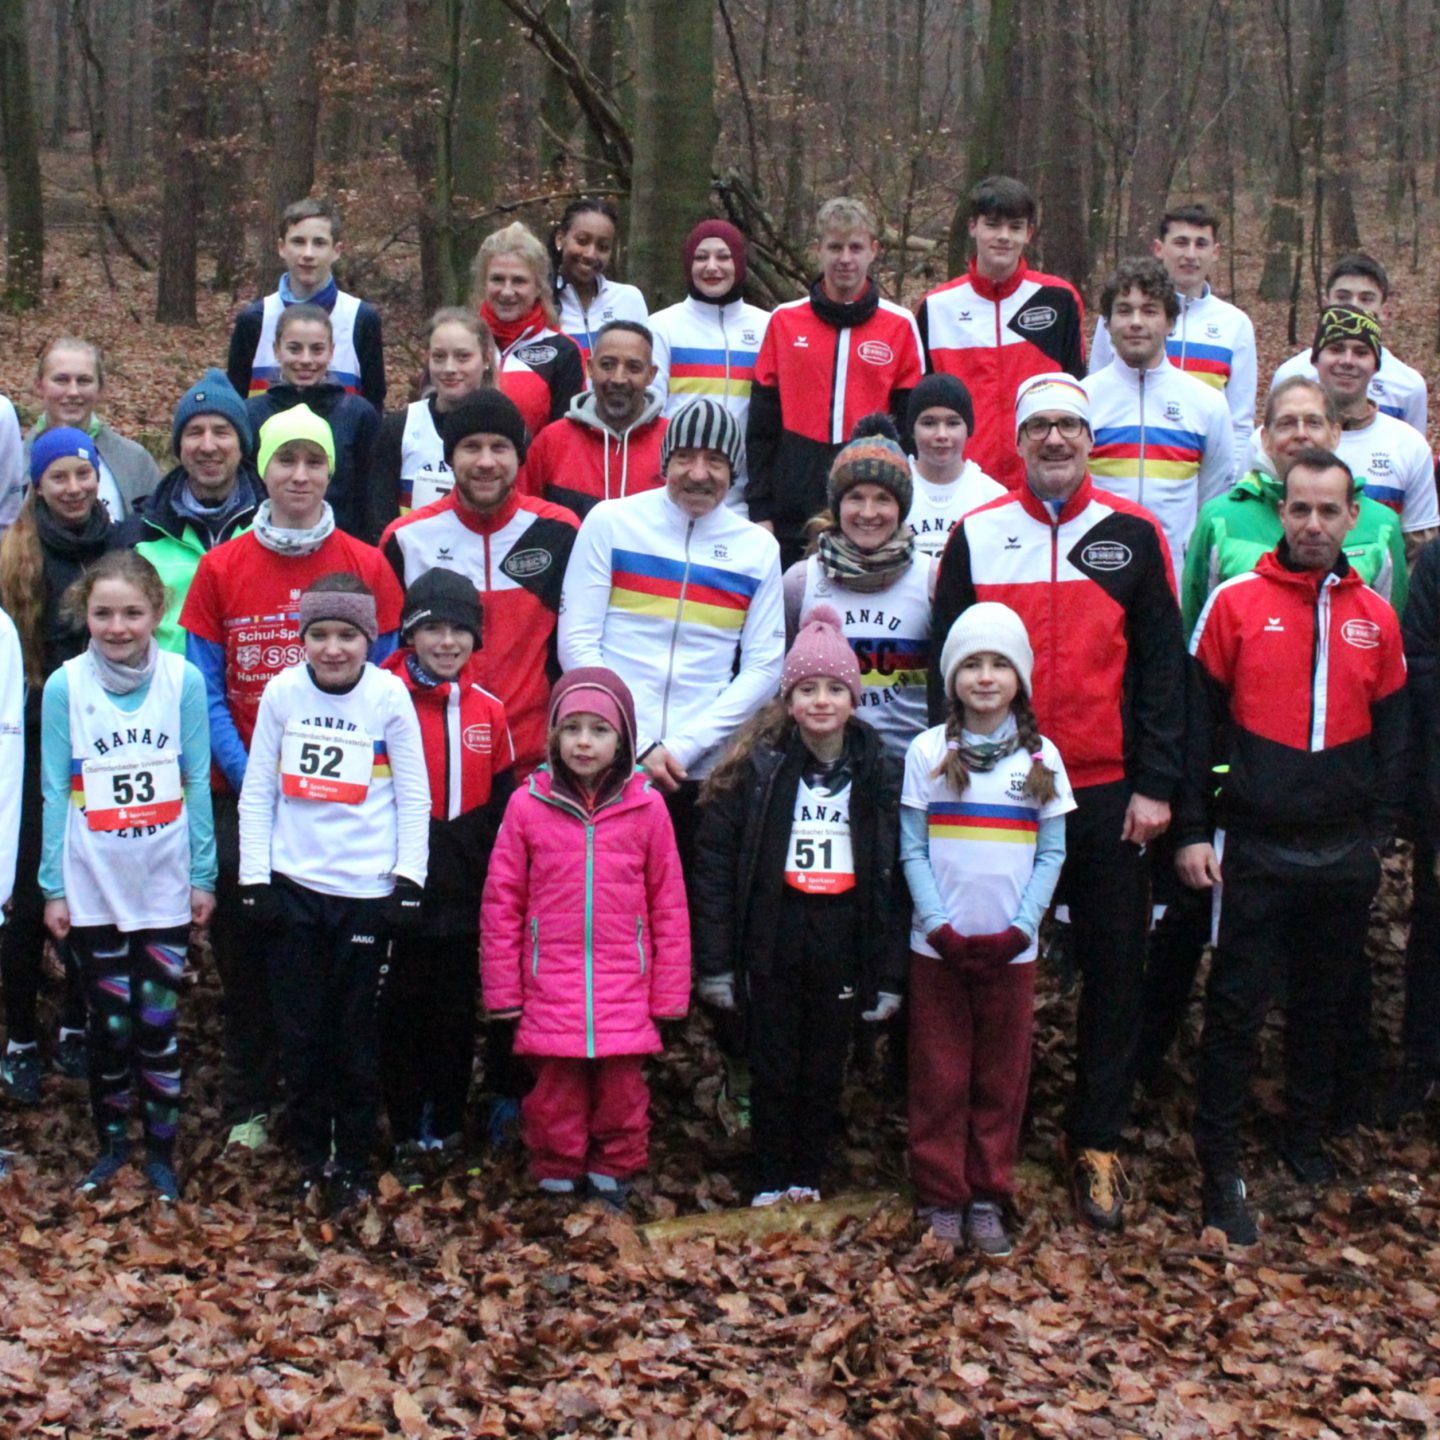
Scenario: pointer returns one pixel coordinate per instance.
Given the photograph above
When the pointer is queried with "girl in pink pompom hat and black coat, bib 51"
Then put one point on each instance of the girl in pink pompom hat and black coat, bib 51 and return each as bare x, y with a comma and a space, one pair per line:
798, 911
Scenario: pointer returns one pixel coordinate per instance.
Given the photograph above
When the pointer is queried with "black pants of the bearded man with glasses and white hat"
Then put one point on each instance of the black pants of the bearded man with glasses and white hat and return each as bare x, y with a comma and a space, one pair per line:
1107, 886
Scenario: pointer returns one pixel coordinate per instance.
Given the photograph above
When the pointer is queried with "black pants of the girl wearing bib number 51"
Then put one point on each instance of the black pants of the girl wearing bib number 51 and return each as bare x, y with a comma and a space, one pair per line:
801, 1022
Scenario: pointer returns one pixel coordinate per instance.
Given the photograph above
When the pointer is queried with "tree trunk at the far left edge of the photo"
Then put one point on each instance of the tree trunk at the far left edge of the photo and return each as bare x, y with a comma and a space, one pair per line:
25, 204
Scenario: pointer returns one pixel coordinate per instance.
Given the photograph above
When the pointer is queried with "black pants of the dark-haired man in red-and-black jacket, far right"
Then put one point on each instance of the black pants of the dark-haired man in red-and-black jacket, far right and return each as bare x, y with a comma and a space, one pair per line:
1291, 912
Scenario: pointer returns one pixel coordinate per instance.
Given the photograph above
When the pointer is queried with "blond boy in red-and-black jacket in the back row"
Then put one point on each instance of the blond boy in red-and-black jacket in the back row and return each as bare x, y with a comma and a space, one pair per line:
826, 362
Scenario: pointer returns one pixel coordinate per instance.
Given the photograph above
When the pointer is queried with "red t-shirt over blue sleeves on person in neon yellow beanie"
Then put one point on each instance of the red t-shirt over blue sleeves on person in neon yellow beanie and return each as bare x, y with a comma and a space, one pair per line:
247, 598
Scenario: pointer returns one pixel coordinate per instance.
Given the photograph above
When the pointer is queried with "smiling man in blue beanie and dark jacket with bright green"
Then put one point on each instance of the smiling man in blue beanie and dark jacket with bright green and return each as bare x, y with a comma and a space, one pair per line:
208, 499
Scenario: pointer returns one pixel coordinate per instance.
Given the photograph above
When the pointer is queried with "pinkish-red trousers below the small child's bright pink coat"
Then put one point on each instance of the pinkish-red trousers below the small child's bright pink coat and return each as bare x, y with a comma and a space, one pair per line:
587, 1117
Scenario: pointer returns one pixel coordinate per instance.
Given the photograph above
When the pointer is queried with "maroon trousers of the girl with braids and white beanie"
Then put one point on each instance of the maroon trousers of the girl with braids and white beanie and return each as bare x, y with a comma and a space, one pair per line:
970, 1074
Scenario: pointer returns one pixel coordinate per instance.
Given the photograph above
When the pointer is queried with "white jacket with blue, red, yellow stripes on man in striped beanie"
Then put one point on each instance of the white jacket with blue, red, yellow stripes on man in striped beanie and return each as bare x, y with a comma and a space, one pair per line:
667, 603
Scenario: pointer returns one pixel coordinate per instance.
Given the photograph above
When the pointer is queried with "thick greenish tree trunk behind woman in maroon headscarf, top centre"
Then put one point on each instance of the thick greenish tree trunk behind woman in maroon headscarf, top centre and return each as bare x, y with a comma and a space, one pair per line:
676, 135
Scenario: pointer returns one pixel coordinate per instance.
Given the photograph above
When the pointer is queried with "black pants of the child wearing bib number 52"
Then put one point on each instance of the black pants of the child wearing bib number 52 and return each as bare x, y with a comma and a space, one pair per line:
325, 980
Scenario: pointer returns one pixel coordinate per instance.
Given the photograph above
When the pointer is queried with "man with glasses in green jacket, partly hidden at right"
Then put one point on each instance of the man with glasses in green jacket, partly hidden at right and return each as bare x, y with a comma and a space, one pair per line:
1241, 526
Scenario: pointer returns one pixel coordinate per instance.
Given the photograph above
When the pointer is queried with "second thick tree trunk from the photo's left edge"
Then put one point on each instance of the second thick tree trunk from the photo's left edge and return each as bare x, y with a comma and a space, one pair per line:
181, 208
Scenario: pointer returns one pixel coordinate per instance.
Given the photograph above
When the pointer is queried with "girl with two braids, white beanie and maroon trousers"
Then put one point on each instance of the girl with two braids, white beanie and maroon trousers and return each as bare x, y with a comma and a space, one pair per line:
983, 839
